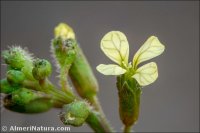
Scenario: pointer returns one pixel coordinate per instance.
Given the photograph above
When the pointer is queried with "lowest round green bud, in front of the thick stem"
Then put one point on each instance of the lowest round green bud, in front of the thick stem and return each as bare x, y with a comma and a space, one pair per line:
75, 113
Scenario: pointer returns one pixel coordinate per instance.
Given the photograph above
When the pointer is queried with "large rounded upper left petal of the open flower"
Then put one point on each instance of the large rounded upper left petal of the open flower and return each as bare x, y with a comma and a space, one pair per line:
115, 45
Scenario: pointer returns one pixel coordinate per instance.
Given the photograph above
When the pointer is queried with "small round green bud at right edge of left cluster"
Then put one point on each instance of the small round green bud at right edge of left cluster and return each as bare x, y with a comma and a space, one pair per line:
42, 69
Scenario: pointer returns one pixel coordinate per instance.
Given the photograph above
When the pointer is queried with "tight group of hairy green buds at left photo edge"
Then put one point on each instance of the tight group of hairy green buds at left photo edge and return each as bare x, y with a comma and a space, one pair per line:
22, 68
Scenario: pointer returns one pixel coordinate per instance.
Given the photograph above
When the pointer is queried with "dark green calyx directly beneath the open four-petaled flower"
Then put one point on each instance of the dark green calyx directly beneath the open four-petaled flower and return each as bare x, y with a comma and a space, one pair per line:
129, 92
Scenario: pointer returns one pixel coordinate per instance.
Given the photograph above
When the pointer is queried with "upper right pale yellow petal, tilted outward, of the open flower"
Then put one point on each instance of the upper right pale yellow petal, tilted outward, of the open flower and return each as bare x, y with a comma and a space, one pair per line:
150, 49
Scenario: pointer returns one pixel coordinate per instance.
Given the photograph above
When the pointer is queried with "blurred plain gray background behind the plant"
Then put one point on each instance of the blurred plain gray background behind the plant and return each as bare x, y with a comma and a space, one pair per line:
171, 104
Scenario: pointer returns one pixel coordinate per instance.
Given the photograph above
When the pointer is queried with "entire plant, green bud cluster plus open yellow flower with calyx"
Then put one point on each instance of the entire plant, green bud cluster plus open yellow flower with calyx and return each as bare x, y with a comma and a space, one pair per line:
28, 89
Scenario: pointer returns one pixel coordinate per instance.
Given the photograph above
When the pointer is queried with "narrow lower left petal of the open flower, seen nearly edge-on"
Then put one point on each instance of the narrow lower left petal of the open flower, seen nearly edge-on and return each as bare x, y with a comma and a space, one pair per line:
110, 69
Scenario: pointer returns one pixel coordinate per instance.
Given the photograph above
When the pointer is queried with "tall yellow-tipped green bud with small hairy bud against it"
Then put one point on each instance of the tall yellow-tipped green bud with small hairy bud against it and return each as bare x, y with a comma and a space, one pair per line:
69, 55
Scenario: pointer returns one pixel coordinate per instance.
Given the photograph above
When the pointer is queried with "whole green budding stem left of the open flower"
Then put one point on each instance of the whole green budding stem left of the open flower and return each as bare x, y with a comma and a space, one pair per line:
28, 89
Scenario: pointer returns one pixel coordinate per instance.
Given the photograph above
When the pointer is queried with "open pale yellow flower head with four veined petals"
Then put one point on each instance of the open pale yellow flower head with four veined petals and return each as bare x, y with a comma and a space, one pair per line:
115, 45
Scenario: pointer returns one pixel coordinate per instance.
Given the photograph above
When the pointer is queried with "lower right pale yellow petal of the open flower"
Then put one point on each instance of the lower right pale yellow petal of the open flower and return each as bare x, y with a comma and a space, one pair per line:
146, 74
